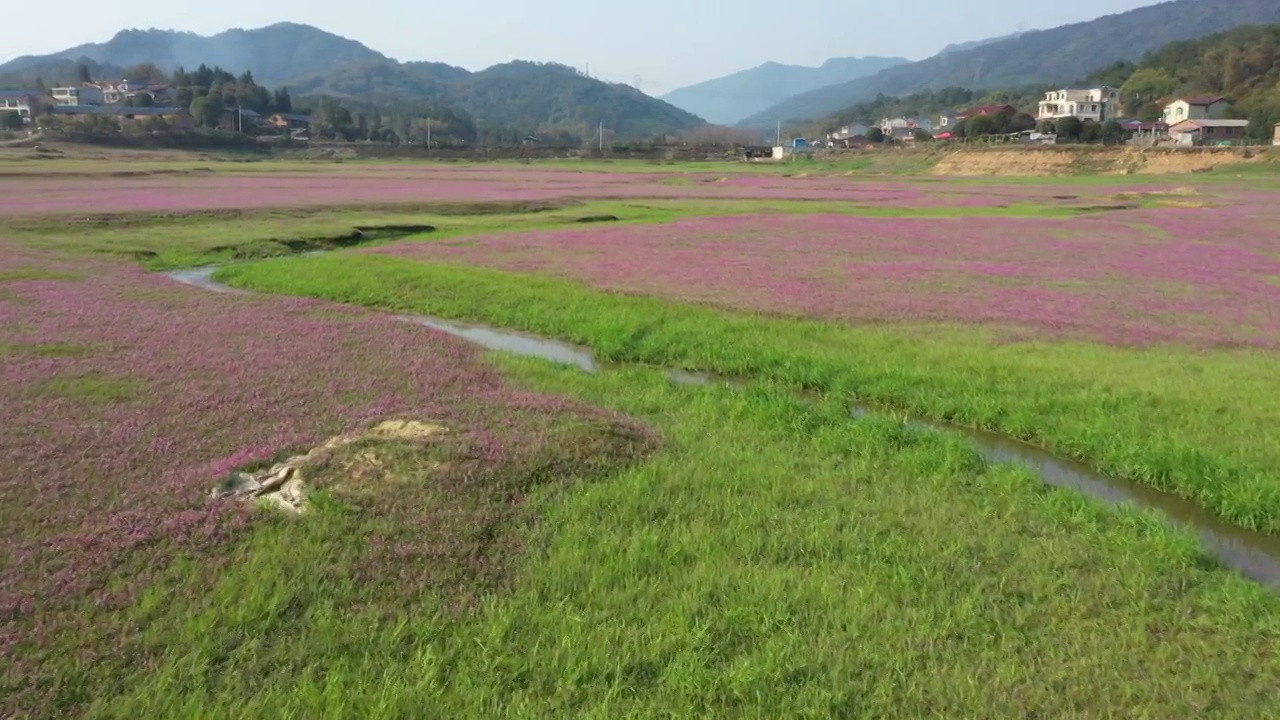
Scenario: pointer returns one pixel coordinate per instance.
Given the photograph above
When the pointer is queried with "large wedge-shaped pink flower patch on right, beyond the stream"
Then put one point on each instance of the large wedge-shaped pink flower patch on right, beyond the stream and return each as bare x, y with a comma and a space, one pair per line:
1208, 277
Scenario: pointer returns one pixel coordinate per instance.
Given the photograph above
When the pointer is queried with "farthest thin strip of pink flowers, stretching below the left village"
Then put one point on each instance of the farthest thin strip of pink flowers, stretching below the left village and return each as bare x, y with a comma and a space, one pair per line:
387, 185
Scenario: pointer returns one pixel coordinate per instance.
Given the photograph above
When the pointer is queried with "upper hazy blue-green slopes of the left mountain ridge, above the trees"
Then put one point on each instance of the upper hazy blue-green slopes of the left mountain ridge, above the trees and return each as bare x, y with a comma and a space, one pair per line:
516, 98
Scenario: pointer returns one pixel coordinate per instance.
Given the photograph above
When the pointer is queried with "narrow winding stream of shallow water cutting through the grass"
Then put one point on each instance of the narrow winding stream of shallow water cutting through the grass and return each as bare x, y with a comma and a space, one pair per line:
1252, 554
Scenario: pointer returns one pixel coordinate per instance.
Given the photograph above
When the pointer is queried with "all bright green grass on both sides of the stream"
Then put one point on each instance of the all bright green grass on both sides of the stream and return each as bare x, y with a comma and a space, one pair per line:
772, 557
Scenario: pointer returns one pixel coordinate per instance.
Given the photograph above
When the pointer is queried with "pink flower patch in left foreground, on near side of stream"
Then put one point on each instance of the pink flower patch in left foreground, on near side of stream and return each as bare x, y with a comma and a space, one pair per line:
126, 397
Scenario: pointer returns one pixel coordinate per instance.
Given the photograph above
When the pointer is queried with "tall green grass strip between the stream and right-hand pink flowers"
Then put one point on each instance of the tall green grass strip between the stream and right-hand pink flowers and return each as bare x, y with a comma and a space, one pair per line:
1201, 425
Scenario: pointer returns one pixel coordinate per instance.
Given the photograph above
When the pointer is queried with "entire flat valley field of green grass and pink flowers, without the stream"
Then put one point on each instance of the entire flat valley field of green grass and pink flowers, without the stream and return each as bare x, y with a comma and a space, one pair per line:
487, 535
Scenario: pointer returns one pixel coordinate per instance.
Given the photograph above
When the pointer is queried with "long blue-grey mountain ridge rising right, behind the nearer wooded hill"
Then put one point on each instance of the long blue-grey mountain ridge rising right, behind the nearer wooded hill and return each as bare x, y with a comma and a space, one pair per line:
1057, 56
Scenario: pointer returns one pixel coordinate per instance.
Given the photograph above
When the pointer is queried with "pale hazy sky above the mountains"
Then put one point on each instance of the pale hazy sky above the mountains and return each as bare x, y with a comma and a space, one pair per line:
665, 43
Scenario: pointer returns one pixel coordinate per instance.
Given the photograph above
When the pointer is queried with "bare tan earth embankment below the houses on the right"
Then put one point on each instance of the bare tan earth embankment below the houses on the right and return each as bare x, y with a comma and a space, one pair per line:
1096, 161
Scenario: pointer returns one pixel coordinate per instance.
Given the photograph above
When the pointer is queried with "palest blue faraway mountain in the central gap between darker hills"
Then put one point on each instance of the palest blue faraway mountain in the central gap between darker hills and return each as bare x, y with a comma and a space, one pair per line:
729, 99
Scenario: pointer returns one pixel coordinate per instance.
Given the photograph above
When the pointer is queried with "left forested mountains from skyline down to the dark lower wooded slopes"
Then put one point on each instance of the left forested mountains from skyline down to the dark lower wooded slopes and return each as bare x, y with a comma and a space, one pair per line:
374, 94
